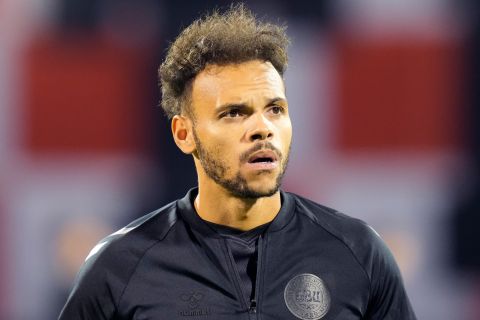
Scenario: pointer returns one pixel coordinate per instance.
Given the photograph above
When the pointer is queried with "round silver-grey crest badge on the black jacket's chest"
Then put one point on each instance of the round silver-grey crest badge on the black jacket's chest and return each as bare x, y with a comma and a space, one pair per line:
307, 297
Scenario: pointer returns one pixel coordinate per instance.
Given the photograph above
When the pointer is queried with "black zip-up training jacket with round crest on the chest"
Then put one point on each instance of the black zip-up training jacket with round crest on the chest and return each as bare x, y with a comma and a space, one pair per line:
313, 263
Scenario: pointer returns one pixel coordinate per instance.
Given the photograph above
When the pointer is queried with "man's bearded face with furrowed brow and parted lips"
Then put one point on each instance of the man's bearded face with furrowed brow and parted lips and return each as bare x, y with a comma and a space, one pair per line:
241, 128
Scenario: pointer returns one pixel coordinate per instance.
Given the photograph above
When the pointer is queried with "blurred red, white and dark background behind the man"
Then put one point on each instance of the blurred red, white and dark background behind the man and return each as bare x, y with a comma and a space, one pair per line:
384, 98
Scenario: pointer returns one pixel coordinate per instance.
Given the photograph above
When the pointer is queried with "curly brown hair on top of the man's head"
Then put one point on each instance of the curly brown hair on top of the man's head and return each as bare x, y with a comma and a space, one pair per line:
234, 36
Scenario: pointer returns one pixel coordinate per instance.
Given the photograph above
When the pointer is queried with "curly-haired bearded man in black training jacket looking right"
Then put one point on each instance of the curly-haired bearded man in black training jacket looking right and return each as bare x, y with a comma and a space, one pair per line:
237, 247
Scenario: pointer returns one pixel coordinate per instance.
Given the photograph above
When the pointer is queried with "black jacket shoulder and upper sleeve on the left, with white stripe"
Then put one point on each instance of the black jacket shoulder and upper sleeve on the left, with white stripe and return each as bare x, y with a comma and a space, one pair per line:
107, 269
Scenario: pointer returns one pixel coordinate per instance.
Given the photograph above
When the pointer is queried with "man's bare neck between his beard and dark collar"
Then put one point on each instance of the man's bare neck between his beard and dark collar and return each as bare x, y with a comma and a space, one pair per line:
217, 205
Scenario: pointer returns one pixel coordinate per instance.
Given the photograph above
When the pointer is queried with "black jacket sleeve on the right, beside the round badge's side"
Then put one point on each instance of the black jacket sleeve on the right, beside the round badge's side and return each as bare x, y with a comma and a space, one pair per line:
388, 298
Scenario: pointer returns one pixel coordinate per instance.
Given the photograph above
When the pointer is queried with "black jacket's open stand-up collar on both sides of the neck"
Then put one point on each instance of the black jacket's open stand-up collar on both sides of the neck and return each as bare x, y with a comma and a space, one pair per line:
189, 214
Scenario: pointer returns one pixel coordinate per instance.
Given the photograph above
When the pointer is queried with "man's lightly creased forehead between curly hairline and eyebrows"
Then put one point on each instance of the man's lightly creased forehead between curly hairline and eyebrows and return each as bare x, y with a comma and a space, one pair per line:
242, 82
